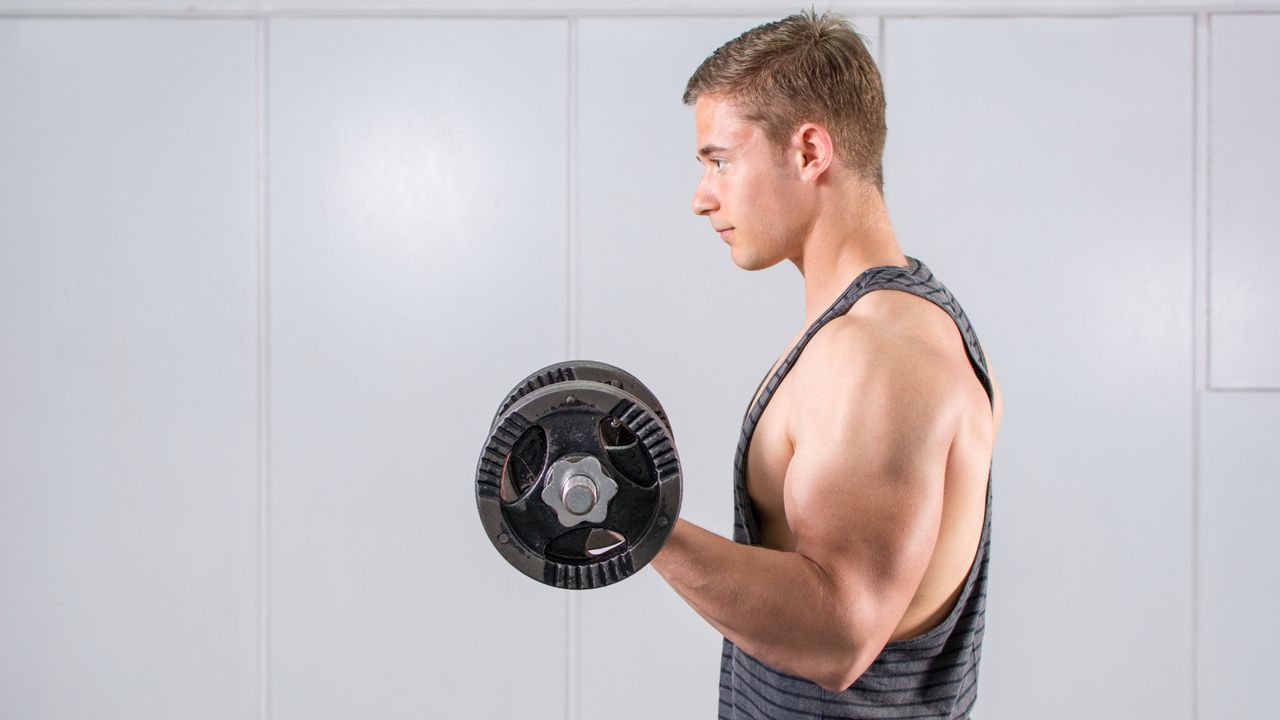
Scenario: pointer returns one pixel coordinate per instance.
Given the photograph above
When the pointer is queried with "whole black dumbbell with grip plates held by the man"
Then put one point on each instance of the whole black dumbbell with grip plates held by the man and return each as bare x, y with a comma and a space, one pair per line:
579, 482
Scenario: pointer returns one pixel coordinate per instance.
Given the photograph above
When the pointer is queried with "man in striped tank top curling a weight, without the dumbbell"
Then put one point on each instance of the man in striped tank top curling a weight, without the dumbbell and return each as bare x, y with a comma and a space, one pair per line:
857, 584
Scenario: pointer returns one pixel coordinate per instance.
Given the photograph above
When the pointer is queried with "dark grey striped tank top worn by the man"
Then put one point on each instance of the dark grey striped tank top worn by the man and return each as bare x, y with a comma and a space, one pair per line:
930, 676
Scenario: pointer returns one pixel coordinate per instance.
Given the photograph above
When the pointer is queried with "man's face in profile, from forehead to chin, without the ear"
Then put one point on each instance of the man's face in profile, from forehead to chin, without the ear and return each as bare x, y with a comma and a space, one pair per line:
748, 190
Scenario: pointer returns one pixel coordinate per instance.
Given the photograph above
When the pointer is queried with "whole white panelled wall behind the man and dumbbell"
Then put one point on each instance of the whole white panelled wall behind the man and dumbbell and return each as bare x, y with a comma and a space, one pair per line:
267, 271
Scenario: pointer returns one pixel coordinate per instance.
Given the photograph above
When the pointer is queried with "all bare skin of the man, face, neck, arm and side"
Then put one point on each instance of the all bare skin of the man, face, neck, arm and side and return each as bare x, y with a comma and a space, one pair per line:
868, 470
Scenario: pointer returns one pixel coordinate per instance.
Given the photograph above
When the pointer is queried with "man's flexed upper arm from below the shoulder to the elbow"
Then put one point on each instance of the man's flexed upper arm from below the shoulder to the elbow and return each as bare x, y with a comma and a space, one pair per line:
863, 491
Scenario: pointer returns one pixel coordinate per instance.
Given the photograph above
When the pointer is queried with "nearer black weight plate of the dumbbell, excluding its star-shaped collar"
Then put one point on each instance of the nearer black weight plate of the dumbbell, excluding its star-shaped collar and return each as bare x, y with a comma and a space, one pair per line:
525, 530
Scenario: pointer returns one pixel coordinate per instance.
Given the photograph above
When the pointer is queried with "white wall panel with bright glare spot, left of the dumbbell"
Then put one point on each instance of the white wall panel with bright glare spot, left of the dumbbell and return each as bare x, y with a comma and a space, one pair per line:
418, 272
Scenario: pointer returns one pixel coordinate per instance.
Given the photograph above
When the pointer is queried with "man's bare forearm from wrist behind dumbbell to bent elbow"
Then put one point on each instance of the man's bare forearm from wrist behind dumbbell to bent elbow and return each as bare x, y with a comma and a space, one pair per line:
778, 607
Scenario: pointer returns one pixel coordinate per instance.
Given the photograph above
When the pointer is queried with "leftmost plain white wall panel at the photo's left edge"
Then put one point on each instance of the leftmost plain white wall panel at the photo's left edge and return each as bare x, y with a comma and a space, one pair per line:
129, 379
